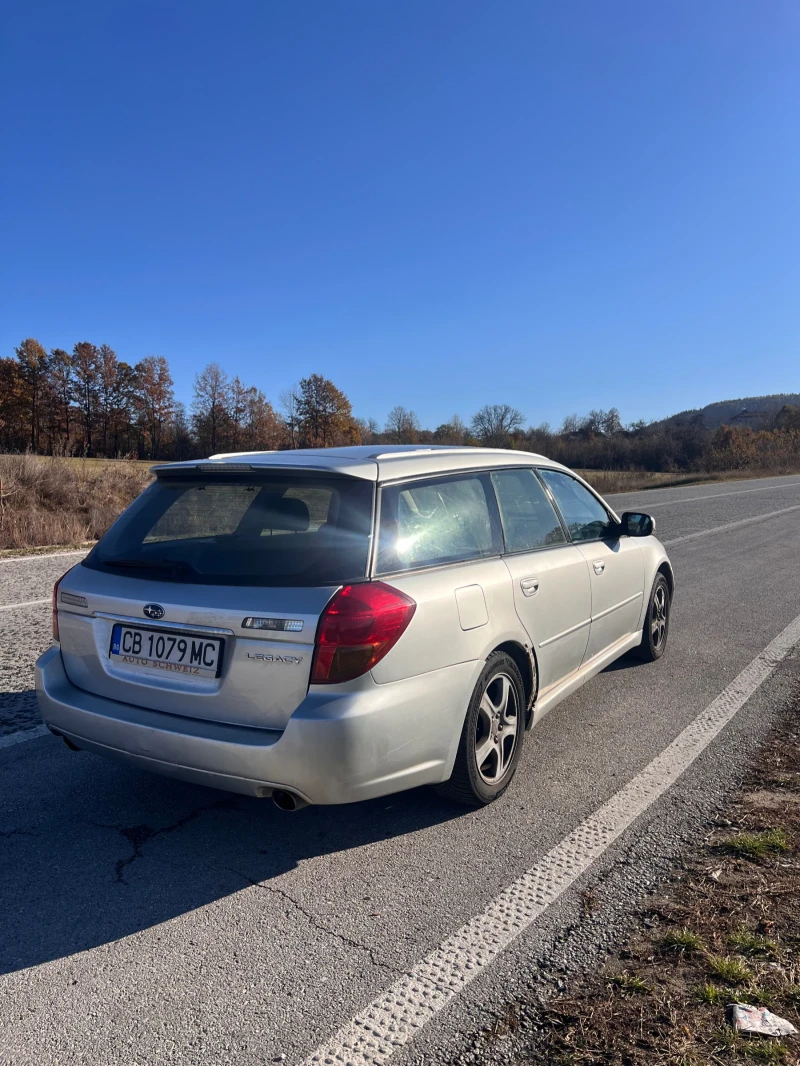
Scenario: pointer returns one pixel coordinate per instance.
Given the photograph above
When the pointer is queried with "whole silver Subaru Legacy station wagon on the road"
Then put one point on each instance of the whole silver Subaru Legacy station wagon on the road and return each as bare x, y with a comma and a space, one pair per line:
335, 625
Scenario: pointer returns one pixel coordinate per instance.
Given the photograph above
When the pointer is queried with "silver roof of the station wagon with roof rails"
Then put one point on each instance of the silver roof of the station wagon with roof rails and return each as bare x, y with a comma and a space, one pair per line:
372, 462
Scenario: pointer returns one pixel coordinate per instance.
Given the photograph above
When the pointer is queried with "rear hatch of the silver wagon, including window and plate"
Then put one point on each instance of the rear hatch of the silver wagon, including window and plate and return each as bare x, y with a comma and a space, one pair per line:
204, 599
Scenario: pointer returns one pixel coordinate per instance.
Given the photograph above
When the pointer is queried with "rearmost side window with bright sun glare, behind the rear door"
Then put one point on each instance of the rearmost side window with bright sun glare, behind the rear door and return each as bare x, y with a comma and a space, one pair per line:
426, 524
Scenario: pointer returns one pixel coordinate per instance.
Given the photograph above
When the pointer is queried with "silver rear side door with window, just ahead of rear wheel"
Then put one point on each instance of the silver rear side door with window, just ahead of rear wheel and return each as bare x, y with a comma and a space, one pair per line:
550, 575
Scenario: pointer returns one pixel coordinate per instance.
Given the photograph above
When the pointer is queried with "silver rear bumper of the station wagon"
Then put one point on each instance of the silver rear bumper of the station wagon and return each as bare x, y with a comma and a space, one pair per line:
338, 748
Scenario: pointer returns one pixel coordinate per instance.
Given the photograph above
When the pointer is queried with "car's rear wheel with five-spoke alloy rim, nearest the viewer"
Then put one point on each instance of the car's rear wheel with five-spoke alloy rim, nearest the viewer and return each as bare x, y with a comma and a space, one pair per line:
492, 737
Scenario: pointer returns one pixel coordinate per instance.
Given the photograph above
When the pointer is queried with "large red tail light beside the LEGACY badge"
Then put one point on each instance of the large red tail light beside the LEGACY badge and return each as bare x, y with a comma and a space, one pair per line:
360, 625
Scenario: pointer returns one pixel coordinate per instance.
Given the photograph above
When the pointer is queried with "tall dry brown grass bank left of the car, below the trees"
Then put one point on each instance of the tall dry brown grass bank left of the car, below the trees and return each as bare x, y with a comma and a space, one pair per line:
63, 503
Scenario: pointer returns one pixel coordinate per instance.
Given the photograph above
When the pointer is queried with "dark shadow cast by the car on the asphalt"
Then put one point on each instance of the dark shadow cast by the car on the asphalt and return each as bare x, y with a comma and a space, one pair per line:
94, 851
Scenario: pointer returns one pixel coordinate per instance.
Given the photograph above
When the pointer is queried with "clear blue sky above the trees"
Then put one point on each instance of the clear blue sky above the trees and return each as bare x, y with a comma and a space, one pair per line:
436, 203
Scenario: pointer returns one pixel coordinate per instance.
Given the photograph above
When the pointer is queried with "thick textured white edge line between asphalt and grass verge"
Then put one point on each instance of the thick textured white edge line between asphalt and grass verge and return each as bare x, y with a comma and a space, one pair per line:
393, 1020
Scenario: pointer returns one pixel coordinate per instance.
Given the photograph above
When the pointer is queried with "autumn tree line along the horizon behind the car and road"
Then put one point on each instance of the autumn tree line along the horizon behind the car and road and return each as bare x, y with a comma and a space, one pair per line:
90, 403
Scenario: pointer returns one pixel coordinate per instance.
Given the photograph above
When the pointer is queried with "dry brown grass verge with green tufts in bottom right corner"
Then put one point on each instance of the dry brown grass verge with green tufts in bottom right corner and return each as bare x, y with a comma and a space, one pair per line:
728, 931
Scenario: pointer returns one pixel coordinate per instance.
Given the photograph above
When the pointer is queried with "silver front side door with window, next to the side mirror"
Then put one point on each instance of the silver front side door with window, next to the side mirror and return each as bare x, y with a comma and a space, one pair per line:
616, 564
